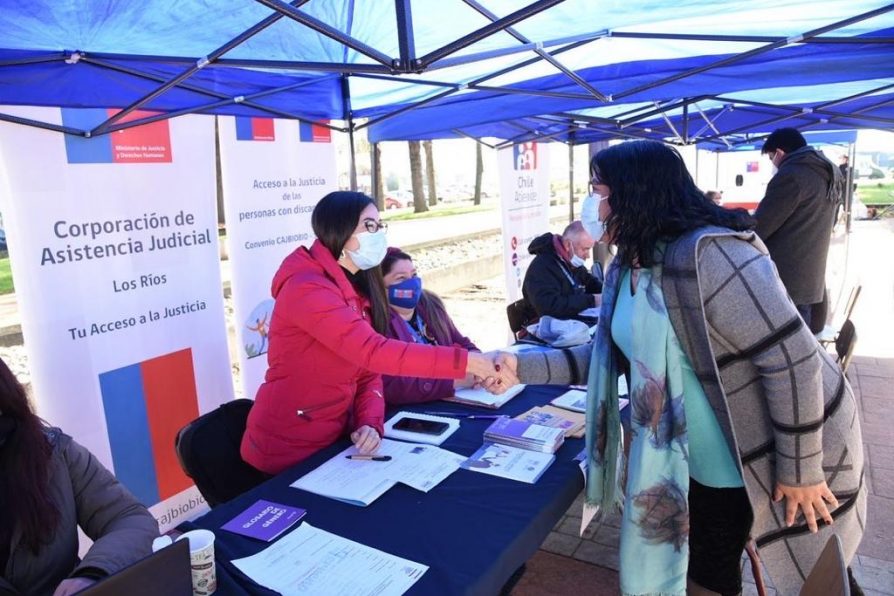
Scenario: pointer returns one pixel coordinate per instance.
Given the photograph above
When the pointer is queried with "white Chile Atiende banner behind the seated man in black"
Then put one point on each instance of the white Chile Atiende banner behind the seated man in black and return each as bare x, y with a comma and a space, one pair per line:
524, 190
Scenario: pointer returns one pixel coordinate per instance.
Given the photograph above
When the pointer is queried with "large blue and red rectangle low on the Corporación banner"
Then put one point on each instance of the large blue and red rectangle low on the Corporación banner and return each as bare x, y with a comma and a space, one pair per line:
146, 404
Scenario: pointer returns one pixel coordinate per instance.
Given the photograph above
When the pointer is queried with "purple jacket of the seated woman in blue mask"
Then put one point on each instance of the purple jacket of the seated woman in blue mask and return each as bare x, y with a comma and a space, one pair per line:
409, 390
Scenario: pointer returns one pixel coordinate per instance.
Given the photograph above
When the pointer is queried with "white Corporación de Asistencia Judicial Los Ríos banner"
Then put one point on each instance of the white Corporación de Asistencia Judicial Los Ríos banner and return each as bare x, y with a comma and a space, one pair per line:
115, 259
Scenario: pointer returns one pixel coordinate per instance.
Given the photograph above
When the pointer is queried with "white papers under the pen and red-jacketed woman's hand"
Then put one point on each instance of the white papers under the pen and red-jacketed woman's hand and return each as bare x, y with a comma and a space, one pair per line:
360, 482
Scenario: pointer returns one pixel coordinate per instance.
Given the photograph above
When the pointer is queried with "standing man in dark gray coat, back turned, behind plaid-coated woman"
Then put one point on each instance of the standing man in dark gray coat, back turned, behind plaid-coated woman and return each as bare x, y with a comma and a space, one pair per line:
795, 217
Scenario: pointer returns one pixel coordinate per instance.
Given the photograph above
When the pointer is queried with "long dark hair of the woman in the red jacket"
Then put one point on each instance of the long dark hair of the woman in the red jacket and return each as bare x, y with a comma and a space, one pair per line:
334, 220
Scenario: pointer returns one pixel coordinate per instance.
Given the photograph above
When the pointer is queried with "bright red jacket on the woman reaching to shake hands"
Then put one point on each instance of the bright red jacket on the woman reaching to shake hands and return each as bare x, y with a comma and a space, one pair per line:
324, 361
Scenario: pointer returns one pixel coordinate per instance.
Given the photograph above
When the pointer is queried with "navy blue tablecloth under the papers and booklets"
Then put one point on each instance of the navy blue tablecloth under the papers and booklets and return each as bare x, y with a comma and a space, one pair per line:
472, 530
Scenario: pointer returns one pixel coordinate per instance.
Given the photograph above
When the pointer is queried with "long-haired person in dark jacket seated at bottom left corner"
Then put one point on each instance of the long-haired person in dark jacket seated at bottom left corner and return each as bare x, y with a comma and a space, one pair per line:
51, 486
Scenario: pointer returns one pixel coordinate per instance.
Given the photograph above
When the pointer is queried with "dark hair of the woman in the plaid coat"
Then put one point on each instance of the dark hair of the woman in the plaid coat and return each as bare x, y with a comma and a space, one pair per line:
653, 198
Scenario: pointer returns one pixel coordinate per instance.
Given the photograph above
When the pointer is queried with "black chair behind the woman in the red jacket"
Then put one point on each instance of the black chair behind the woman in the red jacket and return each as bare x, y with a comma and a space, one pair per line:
208, 451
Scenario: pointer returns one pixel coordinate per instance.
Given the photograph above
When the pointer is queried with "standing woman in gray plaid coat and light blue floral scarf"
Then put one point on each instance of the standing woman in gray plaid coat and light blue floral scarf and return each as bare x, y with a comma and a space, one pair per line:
741, 423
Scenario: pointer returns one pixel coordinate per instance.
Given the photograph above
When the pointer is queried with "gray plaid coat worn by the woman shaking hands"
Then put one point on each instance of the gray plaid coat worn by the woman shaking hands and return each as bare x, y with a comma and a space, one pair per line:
782, 403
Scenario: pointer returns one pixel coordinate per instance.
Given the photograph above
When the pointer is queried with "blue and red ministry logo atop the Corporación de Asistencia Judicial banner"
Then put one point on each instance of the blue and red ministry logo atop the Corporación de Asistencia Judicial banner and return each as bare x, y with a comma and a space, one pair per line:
147, 143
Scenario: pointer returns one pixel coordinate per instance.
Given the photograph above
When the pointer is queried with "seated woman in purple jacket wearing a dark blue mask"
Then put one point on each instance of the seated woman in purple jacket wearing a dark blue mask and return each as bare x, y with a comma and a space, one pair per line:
419, 316
